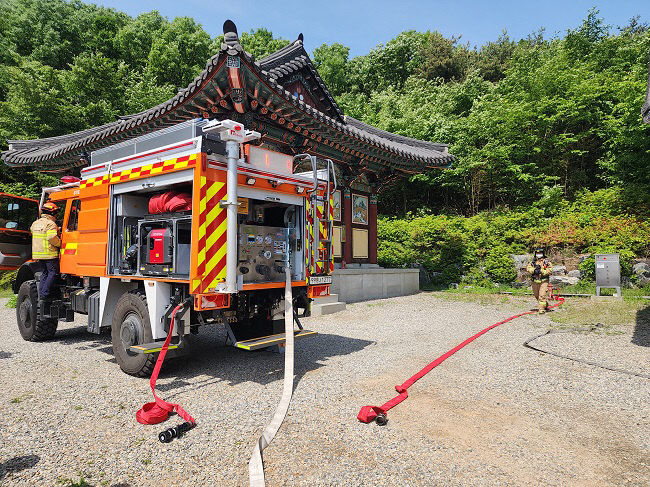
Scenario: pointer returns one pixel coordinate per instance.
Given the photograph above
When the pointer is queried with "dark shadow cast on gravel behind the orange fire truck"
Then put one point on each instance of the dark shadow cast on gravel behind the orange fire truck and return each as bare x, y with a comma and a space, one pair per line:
214, 362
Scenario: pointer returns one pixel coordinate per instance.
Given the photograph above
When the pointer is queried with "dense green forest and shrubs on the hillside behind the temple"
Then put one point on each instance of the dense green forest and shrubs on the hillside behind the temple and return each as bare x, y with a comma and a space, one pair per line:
550, 145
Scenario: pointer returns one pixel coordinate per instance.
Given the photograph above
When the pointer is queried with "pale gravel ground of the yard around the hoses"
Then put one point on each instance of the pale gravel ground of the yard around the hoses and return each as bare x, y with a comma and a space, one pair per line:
493, 414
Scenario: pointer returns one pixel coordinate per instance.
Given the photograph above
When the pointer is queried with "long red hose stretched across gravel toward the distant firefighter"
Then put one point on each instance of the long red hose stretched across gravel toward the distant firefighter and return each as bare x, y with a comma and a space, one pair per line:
367, 414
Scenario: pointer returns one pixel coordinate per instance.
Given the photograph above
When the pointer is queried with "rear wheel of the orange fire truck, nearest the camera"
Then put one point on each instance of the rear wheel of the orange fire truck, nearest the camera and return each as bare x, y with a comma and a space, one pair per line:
131, 326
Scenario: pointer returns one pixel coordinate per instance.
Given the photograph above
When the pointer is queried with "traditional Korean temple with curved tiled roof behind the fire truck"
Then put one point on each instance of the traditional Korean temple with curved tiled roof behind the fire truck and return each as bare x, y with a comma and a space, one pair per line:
282, 97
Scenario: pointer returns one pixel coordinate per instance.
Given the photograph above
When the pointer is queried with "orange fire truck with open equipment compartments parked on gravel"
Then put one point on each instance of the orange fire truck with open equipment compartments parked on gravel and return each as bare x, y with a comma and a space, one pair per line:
197, 213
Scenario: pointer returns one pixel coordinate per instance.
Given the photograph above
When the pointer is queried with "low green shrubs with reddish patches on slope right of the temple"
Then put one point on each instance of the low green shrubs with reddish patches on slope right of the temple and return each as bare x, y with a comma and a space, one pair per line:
476, 249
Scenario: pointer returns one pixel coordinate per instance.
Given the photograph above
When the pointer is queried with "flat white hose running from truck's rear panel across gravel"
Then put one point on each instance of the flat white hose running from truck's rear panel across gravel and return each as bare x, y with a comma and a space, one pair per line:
256, 464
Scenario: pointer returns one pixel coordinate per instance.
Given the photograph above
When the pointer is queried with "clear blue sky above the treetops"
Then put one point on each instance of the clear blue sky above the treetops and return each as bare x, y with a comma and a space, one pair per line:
362, 25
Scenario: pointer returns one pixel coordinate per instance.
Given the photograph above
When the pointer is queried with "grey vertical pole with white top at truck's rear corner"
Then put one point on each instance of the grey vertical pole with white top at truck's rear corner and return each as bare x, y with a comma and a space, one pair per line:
233, 134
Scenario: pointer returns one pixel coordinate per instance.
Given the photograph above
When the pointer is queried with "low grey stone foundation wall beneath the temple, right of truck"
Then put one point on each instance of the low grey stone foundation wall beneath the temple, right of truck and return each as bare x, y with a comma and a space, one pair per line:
362, 284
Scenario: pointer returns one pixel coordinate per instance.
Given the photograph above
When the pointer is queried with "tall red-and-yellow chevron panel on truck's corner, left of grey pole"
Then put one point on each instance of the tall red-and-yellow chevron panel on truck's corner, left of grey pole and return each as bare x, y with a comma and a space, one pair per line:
212, 236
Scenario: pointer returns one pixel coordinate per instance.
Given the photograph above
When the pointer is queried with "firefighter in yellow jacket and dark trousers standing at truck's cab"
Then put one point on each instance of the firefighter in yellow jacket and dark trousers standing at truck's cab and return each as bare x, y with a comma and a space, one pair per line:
45, 247
